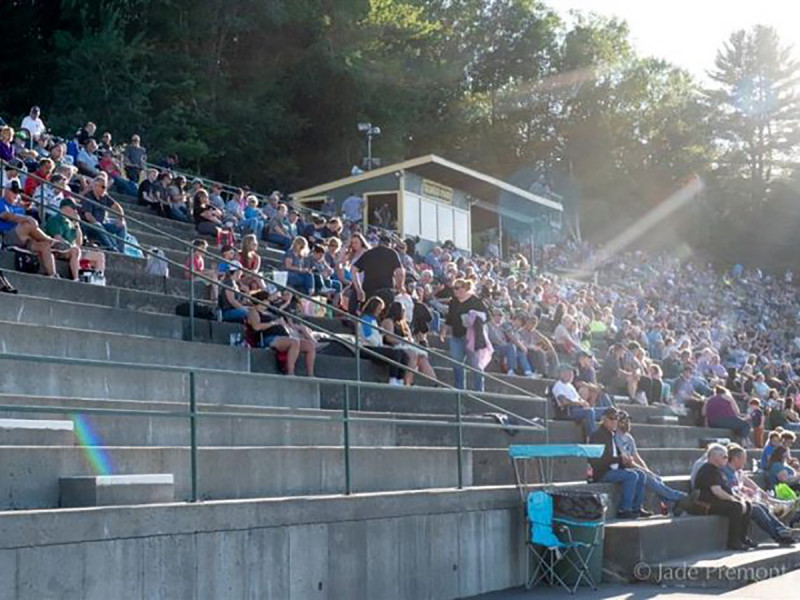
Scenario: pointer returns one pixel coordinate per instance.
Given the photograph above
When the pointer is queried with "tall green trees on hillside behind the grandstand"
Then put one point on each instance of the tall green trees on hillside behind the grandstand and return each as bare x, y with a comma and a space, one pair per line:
268, 92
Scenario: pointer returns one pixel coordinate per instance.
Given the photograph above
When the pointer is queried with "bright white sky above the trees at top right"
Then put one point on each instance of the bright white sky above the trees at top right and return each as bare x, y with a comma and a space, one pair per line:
689, 32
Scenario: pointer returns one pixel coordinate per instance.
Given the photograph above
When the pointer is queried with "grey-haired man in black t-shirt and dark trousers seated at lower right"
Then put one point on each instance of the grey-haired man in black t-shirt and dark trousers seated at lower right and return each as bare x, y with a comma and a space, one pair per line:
714, 490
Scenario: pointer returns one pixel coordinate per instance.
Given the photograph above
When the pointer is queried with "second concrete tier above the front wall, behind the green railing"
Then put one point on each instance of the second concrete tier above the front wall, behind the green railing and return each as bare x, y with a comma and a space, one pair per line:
147, 430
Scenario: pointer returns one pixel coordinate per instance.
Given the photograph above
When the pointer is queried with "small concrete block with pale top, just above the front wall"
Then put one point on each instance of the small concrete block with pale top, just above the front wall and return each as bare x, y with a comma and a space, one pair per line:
112, 490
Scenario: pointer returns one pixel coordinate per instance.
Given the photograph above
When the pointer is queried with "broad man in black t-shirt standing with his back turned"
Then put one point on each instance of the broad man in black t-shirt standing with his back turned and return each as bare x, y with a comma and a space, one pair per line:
383, 272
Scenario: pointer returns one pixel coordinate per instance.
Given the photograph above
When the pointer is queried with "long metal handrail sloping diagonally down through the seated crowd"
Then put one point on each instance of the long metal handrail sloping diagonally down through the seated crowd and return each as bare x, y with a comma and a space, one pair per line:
359, 347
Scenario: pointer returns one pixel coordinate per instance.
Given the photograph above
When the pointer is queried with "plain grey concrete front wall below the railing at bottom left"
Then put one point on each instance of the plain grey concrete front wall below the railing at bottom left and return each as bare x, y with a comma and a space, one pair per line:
408, 545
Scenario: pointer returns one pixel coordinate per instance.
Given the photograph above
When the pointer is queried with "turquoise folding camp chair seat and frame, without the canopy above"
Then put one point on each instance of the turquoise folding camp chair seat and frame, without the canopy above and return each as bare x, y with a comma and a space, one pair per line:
551, 546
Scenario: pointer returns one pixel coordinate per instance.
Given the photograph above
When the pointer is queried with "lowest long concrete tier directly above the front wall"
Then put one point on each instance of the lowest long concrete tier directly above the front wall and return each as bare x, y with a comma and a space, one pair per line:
29, 475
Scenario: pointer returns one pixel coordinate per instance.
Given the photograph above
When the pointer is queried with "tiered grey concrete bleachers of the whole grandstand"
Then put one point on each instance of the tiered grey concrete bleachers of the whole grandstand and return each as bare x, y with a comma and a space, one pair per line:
406, 445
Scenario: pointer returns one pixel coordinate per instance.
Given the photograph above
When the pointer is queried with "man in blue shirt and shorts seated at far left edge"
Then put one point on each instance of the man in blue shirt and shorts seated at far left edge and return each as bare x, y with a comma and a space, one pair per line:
20, 230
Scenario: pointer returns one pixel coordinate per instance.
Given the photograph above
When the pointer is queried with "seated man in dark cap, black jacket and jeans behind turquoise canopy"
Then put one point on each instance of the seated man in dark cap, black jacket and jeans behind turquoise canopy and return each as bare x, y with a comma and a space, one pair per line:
614, 466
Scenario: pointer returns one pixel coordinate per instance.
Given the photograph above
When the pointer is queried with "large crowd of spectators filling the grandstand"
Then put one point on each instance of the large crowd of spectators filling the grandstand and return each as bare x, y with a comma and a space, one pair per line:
719, 347
